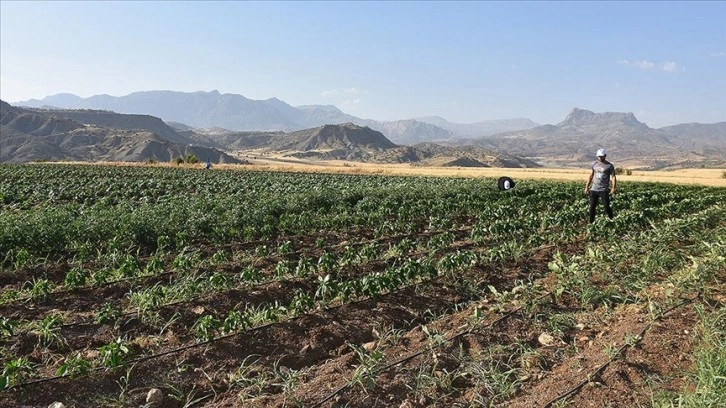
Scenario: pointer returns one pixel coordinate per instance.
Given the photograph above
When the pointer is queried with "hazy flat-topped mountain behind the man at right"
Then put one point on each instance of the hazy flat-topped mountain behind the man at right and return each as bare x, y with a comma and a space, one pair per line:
630, 142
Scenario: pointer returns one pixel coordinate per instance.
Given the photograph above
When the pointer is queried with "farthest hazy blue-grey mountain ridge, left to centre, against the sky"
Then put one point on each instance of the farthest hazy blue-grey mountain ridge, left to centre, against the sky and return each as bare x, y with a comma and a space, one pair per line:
238, 113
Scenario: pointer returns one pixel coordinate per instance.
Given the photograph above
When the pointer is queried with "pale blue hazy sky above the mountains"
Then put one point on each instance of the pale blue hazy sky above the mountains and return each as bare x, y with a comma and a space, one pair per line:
464, 61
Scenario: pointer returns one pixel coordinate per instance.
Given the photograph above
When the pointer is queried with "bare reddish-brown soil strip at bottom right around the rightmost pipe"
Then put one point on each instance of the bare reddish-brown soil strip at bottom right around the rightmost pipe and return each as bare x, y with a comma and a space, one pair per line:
664, 352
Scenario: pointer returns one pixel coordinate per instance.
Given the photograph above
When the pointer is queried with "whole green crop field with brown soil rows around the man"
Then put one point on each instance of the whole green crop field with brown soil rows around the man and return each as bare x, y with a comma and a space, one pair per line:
159, 286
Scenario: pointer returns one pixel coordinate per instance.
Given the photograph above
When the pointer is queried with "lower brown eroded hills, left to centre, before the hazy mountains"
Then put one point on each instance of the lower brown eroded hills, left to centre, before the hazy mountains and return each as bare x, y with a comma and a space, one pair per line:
90, 135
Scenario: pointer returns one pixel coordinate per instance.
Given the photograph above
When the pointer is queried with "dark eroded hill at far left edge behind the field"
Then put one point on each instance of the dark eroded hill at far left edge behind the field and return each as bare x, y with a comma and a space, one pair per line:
33, 135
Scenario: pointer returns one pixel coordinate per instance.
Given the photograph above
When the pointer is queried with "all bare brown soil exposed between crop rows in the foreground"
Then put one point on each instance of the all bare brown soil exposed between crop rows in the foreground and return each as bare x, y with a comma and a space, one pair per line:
455, 340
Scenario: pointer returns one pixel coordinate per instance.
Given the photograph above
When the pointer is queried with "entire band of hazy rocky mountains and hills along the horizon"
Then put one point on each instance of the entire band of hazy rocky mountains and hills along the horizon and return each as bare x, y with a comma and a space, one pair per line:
204, 119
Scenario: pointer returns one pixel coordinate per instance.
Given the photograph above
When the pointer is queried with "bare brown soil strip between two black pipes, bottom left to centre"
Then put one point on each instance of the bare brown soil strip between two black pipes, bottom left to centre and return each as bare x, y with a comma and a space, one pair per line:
277, 344
